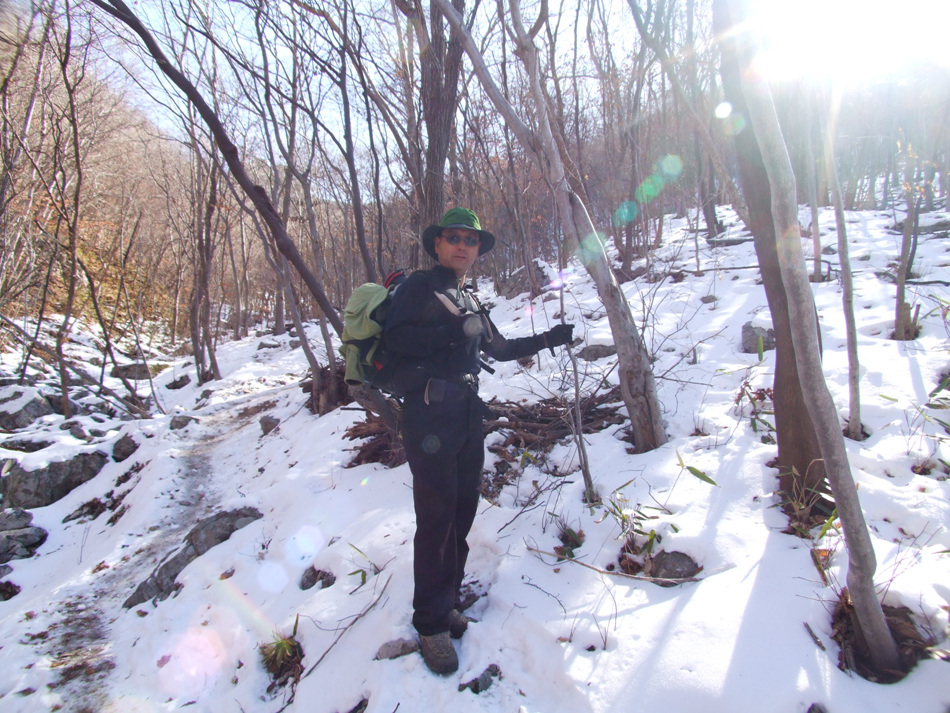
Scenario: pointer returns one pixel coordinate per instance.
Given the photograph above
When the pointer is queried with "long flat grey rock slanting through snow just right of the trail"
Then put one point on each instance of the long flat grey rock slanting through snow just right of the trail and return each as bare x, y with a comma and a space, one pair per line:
206, 534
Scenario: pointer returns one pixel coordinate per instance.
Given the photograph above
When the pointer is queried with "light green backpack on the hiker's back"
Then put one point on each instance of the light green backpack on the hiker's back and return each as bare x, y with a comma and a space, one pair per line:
363, 350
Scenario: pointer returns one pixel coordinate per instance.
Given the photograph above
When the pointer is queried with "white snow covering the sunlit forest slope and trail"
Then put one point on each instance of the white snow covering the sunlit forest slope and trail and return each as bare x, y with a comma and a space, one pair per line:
566, 638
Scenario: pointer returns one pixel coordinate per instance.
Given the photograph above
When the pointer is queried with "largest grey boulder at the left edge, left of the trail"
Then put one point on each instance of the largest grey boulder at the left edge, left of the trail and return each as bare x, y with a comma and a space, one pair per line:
44, 486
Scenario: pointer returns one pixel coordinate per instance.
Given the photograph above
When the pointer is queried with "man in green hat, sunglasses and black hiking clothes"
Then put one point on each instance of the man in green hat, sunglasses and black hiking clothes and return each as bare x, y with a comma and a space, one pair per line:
436, 330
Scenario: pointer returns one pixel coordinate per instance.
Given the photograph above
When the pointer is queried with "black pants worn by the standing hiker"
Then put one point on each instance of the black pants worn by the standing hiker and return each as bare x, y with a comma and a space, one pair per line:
444, 445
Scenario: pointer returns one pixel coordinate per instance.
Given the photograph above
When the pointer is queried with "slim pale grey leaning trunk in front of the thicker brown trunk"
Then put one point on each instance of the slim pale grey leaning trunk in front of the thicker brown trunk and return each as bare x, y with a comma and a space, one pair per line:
804, 326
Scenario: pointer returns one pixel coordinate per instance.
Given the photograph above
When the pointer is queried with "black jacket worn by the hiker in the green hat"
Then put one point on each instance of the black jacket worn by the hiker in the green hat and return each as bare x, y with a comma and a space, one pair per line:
430, 341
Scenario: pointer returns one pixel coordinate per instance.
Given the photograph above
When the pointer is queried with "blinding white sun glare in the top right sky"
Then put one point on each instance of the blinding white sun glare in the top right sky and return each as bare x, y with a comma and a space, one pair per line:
851, 41
